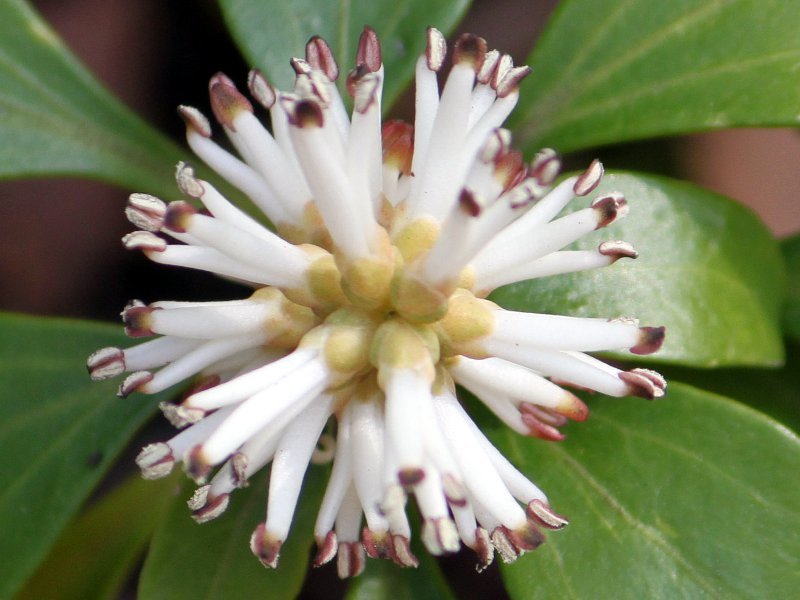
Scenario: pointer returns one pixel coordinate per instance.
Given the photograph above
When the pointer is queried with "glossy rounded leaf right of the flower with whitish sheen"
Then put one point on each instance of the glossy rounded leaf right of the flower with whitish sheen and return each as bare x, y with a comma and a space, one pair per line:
707, 269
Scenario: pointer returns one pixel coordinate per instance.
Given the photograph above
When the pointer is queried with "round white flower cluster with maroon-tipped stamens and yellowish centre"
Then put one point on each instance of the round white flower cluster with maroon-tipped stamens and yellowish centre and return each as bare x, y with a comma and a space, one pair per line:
369, 307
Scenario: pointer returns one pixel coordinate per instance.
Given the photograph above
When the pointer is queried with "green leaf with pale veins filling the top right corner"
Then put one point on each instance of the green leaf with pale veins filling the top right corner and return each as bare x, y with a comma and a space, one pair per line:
607, 71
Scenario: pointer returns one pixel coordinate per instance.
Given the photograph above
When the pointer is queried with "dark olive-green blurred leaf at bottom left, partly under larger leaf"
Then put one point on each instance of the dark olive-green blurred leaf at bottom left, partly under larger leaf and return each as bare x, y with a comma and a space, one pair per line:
103, 545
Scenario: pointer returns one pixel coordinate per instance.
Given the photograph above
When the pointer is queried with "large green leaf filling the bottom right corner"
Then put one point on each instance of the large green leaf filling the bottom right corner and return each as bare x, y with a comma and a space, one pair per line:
691, 497
